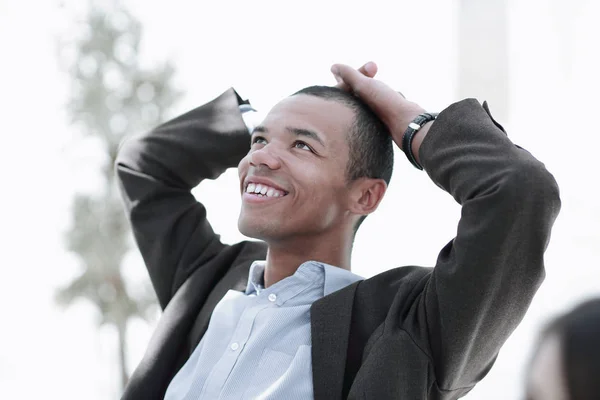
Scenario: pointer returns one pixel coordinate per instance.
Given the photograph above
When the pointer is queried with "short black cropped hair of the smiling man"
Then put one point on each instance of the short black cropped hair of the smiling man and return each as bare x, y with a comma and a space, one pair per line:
371, 153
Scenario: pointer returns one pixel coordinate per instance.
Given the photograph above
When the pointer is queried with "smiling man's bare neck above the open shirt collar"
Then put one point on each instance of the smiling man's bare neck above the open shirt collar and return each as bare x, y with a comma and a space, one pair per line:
283, 259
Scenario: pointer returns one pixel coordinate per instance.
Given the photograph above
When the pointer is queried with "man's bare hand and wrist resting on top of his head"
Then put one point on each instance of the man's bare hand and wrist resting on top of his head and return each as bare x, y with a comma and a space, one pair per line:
389, 105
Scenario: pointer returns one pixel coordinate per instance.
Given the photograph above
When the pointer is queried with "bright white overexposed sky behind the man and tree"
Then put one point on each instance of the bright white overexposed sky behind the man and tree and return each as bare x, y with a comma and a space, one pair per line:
267, 49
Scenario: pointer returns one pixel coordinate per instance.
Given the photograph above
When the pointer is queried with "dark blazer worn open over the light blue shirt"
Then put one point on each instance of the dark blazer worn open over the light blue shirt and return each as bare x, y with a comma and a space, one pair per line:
409, 333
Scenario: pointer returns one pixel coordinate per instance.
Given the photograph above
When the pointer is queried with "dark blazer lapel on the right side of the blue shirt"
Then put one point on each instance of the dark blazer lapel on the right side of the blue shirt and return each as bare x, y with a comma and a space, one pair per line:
330, 328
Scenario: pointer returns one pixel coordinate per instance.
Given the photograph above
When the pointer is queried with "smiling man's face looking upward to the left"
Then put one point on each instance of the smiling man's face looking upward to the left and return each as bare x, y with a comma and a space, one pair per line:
298, 164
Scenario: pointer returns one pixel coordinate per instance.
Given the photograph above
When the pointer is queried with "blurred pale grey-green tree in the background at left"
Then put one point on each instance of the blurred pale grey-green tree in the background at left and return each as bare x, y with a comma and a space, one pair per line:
111, 94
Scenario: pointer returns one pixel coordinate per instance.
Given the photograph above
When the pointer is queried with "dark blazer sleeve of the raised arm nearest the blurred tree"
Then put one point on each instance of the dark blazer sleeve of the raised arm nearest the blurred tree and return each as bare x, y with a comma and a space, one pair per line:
157, 172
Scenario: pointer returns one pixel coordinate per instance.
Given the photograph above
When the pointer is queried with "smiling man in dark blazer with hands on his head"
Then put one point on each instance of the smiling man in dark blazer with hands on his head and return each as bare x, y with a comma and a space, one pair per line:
299, 324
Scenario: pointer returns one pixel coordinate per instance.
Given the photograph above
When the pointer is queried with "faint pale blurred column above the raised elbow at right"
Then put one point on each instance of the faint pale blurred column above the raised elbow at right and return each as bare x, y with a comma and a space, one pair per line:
483, 65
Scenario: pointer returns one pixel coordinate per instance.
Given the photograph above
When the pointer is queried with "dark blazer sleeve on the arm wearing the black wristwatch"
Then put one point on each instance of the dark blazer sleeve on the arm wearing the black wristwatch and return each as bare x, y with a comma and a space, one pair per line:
486, 277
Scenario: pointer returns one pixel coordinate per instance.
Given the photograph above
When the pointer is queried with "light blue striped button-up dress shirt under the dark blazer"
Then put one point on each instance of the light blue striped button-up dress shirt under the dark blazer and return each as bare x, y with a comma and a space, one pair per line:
258, 343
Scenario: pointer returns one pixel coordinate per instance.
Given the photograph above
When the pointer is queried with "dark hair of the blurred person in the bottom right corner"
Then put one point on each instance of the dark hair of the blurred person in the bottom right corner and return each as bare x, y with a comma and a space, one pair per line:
578, 332
